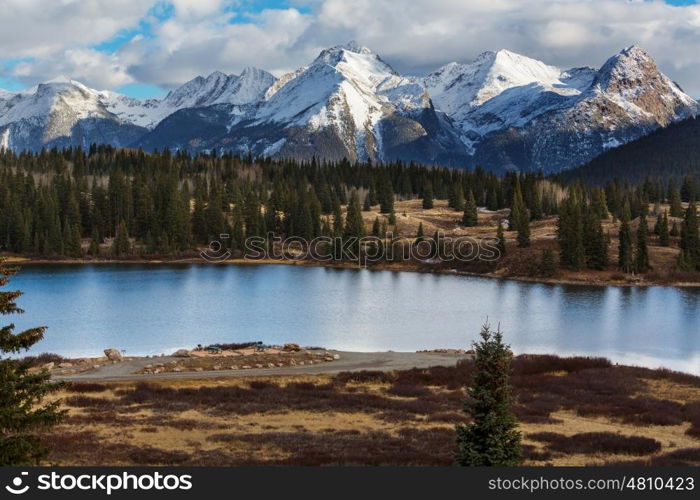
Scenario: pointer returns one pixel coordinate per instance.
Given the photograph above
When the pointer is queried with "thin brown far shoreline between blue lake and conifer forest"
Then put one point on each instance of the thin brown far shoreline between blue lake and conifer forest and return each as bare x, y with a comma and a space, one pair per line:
27, 261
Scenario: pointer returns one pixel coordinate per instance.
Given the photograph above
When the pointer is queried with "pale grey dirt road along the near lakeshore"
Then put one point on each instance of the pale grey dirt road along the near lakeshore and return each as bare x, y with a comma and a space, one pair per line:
349, 361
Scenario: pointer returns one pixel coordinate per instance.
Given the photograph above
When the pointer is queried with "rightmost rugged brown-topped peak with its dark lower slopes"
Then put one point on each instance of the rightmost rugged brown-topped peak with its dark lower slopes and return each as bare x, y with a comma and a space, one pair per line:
628, 98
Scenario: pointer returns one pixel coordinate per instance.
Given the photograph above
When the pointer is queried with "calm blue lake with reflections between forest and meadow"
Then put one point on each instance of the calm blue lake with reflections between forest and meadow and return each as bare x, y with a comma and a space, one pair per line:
152, 309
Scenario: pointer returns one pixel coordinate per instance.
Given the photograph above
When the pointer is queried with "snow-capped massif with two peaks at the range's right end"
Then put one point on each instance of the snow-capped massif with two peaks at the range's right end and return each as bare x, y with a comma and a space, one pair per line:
518, 113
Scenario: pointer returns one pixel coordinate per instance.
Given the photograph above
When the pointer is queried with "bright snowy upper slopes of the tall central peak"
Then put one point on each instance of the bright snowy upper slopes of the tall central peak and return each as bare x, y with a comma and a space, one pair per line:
347, 89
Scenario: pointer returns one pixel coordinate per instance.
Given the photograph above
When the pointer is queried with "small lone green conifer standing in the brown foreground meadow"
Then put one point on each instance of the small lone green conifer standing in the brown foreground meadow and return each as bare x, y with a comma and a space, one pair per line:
492, 437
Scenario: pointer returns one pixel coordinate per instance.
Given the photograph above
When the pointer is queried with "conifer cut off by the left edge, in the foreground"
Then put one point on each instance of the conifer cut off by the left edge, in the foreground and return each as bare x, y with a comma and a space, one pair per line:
22, 413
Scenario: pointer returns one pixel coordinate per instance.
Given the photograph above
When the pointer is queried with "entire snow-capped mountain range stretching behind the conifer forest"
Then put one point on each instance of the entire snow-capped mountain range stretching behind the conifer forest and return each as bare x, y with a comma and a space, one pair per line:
503, 111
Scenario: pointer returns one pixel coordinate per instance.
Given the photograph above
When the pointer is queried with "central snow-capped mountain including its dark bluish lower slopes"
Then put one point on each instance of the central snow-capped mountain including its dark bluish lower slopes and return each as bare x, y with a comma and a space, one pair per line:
347, 103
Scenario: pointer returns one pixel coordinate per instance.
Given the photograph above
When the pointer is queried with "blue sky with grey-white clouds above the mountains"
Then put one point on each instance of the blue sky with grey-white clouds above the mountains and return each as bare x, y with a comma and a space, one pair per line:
145, 47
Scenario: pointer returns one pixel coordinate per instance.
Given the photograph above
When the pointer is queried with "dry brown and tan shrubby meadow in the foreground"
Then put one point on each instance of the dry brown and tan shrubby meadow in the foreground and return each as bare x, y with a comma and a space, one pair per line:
373, 418
